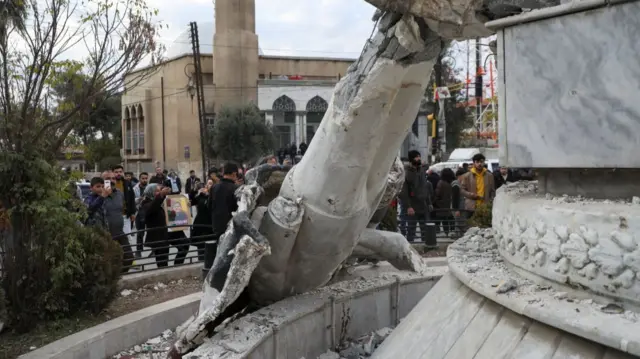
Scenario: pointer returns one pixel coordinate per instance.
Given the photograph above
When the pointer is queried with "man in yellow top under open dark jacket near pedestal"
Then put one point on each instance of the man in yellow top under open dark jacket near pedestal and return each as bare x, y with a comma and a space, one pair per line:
477, 186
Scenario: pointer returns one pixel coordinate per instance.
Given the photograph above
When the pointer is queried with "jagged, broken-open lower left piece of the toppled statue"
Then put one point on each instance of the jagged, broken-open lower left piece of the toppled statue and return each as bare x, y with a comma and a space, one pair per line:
243, 259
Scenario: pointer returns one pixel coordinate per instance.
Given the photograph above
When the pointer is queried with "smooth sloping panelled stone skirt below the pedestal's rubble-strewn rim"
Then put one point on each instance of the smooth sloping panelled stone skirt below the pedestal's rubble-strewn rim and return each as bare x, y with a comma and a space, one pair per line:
454, 322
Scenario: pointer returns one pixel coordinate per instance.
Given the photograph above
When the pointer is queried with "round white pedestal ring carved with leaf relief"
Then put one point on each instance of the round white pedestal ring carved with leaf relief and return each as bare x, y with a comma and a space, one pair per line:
589, 244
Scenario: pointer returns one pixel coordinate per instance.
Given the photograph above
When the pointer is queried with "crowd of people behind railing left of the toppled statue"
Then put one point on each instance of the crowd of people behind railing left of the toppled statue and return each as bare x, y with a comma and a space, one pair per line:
120, 202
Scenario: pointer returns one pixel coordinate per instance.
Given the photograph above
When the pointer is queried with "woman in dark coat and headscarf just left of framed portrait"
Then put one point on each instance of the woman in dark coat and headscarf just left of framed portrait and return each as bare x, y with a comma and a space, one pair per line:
156, 222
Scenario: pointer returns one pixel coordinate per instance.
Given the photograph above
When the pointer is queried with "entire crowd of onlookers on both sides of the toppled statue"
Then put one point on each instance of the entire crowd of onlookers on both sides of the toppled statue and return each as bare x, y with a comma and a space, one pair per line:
119, 202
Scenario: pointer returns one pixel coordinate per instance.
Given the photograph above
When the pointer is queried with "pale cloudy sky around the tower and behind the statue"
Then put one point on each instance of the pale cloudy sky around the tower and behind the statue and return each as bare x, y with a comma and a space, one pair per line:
330, 28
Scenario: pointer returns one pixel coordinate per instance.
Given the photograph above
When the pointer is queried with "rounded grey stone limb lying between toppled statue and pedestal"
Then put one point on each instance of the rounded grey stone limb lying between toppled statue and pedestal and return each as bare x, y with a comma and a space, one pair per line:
391, 247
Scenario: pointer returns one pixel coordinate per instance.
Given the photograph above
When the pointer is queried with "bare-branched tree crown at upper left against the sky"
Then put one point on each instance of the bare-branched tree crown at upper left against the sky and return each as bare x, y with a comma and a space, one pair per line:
113, 37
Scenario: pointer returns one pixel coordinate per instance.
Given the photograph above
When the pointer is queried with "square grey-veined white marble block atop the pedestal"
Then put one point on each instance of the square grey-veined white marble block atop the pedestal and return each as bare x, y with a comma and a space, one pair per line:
569, 86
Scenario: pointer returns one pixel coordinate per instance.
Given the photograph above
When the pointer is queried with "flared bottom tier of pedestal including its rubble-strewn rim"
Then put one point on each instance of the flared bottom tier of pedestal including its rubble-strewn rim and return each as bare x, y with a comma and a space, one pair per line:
465, 317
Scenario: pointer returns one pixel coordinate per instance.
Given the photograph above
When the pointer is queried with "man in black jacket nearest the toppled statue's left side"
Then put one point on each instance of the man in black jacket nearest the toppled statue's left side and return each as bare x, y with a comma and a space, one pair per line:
222, 199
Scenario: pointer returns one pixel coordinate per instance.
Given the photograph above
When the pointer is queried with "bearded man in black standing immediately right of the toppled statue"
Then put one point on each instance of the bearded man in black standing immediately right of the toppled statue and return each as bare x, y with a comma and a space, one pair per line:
415, 197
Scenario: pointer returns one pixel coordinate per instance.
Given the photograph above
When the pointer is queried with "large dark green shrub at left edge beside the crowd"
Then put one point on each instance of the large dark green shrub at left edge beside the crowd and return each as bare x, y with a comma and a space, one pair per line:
53, 266
